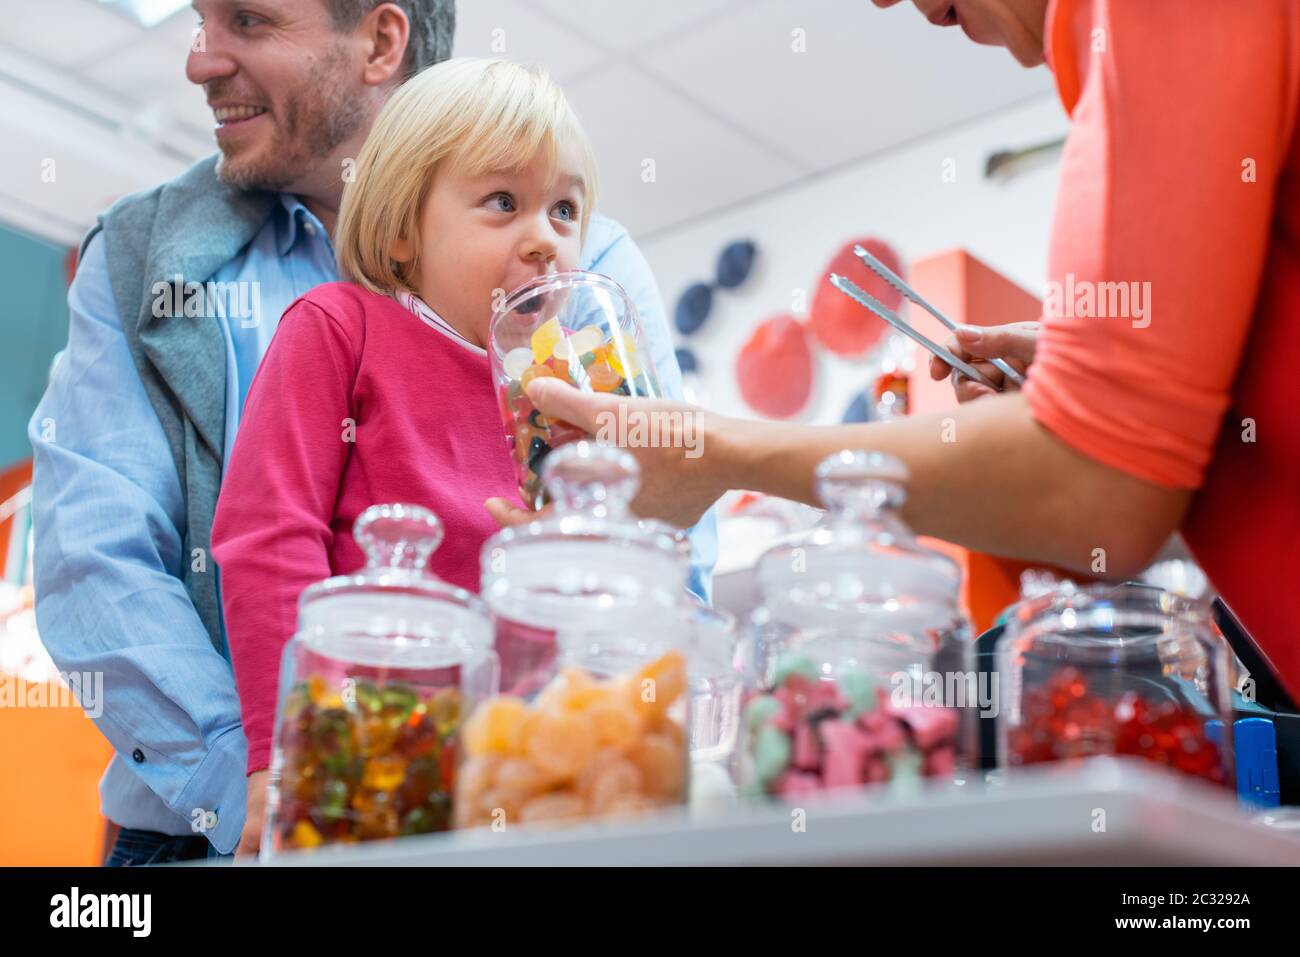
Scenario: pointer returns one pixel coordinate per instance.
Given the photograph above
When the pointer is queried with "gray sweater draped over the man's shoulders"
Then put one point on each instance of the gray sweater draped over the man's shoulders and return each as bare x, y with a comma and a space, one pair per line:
190, 228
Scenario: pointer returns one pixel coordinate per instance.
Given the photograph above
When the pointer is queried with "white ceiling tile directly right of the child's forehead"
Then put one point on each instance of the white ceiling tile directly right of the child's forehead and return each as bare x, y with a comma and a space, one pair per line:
699, 166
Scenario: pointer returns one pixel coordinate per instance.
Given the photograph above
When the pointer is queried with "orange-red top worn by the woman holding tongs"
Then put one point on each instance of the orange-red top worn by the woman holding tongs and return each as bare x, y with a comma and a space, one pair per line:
1172, 327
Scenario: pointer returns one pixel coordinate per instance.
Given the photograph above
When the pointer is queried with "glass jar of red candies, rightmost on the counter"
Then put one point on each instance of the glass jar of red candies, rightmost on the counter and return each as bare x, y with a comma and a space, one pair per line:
1120, 670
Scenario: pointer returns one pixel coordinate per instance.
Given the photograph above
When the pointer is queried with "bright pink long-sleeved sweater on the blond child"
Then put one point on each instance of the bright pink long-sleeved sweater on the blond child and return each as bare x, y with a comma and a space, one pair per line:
427, 432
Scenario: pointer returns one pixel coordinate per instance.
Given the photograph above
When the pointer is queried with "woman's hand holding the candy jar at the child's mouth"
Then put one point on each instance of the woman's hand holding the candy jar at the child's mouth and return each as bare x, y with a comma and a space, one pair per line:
673, 441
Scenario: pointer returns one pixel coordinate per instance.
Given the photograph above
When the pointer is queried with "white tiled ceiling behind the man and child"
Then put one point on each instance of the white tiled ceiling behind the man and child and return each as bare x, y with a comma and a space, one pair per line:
712, 90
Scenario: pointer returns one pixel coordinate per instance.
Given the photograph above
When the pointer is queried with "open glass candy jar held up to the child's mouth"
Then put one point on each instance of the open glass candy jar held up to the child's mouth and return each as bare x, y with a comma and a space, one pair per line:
578, 327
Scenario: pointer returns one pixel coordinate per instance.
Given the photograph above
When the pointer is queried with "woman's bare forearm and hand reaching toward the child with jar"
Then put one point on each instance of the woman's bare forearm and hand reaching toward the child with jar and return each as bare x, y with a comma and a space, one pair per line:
985, 475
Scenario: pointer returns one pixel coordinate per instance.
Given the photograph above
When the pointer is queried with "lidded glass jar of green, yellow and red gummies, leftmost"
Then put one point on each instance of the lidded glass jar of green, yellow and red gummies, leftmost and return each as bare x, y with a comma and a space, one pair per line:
374, 687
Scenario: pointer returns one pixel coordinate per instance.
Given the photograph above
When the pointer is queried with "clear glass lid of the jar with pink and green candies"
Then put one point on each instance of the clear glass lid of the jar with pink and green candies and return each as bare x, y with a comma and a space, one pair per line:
860, 570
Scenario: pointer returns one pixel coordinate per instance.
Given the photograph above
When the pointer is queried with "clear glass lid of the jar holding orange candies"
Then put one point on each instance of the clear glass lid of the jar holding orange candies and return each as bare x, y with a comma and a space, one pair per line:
591, 557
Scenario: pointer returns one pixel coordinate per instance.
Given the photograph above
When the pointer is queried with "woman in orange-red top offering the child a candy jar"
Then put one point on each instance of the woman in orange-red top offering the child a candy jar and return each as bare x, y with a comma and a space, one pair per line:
1178, 180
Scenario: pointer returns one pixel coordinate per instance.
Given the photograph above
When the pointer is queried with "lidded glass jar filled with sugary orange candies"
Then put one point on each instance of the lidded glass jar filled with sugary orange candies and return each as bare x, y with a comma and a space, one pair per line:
599, 730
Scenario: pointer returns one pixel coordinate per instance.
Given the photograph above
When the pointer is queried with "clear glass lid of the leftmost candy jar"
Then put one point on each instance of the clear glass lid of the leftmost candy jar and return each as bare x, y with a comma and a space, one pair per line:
396, 596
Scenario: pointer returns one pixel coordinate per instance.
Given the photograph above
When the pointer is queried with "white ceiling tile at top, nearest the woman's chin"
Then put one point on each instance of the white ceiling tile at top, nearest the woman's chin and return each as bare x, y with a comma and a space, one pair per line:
869, 79
